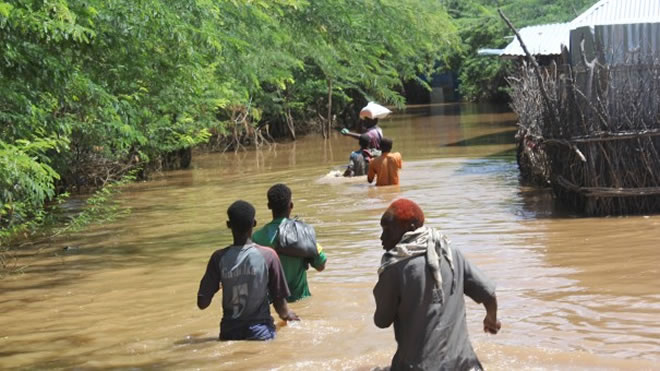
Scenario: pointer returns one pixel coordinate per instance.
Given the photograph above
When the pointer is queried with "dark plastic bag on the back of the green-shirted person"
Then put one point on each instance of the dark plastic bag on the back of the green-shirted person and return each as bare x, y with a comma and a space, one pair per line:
296, 238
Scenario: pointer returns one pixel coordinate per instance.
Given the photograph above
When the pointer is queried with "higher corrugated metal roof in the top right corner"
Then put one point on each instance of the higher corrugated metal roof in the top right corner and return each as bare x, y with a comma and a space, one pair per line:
619, 12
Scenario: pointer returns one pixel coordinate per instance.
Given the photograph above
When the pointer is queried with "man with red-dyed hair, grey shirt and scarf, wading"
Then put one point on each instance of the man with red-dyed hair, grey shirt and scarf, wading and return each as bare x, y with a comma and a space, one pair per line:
421, 282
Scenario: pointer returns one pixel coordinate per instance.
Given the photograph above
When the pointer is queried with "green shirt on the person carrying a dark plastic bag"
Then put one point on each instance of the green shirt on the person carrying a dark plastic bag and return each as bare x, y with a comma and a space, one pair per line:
295, 268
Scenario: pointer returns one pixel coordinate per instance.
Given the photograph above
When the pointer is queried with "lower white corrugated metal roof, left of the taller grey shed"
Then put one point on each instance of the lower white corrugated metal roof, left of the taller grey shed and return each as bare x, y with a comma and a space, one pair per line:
545, 39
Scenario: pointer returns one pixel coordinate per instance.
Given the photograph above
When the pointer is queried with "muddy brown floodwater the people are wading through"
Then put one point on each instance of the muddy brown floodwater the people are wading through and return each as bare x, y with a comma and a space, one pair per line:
574, 293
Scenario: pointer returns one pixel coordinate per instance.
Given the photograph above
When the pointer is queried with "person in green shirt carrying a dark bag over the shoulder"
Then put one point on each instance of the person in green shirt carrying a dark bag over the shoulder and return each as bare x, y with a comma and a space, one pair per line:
295, 268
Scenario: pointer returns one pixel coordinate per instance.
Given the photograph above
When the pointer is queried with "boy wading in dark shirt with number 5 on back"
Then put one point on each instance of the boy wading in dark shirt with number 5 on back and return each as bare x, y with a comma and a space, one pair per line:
250, 275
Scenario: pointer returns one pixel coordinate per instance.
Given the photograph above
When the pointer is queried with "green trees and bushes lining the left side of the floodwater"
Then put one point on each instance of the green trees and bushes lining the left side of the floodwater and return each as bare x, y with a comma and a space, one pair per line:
120, 83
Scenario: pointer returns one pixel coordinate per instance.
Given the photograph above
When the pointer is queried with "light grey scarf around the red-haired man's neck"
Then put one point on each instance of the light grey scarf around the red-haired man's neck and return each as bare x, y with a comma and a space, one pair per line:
428, 241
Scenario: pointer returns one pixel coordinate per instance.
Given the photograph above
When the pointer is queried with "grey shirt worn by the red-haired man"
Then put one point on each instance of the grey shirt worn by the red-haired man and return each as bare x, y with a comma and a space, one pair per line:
429, 335
